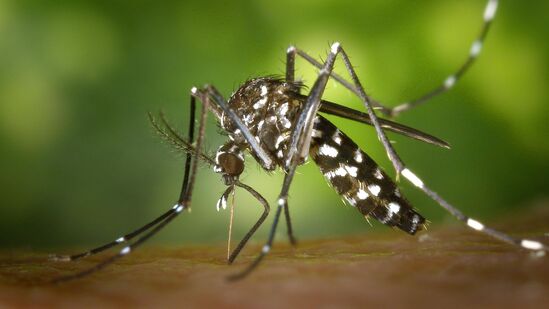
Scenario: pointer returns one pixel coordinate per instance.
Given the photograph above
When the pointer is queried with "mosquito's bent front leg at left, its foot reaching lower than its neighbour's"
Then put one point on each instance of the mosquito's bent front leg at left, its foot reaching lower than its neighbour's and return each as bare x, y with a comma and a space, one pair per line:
183, 203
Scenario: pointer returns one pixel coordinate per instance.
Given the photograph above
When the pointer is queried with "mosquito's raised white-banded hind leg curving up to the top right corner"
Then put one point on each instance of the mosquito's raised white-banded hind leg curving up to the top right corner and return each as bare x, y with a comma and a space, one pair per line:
448, 83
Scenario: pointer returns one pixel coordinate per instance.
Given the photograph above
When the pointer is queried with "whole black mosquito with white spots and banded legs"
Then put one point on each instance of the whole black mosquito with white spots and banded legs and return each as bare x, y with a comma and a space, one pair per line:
280, 127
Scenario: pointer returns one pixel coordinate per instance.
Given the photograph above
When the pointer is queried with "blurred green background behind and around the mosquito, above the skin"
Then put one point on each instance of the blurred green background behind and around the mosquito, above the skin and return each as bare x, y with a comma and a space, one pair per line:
80, 164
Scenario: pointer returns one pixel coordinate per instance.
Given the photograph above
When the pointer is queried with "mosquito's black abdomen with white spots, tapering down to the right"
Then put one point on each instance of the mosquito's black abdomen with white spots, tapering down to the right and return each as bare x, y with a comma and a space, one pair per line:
359, 180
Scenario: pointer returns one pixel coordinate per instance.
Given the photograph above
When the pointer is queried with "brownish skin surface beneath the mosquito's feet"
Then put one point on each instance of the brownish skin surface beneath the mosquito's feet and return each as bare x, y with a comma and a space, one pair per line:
441, 267
